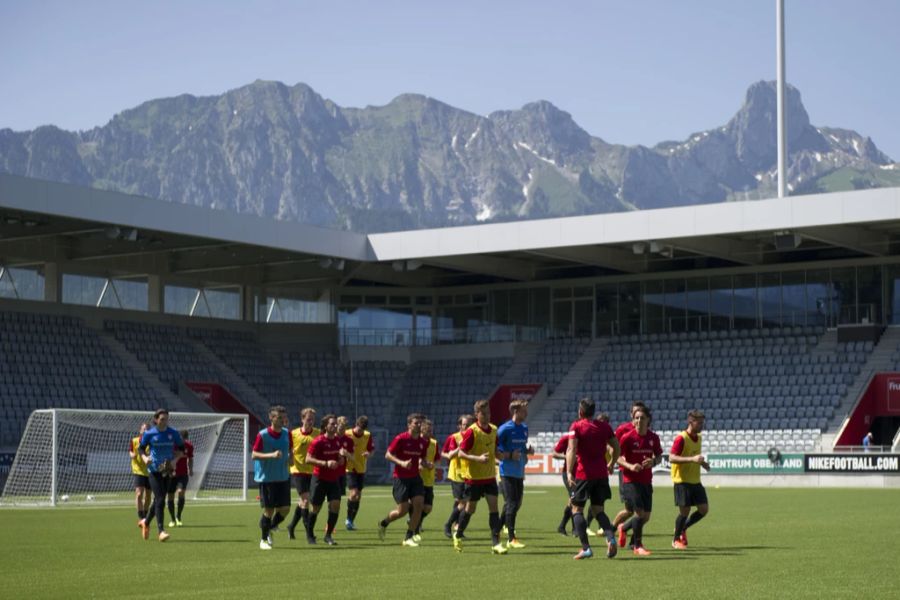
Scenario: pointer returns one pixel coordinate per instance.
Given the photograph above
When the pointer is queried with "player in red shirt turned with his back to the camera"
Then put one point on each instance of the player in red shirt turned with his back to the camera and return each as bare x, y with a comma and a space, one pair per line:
588, 471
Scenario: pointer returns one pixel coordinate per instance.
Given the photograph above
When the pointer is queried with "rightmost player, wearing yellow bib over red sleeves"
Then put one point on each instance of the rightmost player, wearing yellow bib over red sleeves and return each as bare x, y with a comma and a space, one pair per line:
687, 458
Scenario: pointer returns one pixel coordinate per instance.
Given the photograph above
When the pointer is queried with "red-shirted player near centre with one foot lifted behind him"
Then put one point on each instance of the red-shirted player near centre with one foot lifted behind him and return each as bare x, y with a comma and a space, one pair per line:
407, 451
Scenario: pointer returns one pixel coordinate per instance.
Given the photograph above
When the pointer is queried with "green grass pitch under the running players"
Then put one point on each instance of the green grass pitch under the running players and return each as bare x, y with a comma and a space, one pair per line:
756, 543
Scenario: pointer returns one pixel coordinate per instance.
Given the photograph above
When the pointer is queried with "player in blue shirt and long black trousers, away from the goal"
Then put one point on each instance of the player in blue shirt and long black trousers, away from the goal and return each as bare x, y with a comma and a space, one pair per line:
513, 450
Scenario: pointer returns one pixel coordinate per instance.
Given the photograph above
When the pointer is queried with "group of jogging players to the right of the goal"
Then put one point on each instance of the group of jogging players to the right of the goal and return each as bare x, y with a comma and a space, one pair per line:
322, 462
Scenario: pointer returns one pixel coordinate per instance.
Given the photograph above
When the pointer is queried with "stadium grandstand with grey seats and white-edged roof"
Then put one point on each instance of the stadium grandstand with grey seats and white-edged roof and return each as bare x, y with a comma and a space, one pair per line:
773, 316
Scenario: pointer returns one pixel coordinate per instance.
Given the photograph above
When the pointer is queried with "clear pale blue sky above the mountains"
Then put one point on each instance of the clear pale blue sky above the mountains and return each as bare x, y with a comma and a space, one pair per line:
629, 71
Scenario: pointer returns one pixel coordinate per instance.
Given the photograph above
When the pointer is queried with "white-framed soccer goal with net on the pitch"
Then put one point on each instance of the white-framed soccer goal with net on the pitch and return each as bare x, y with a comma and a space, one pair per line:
81, 456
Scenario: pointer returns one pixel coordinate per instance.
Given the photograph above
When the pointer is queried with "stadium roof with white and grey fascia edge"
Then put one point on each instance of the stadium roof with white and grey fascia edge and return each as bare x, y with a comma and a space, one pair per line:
117, 234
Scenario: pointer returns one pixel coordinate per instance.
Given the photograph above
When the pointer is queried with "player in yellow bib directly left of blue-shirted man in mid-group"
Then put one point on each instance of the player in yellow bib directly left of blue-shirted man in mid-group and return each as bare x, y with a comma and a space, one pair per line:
478, 450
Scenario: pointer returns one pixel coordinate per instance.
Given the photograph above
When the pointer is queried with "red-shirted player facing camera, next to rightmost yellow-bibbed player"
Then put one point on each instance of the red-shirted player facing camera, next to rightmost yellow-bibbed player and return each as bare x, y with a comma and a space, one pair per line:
641, 451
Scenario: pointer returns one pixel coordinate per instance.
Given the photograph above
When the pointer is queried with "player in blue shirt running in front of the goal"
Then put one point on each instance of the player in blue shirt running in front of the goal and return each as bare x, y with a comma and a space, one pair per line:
161, 445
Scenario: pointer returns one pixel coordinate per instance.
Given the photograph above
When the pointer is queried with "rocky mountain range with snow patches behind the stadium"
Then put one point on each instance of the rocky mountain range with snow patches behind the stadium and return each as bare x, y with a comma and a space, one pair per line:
288, 153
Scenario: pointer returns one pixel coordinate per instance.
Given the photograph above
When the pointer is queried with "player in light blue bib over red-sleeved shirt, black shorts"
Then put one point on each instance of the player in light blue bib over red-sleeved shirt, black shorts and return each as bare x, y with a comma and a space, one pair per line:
271, 456
